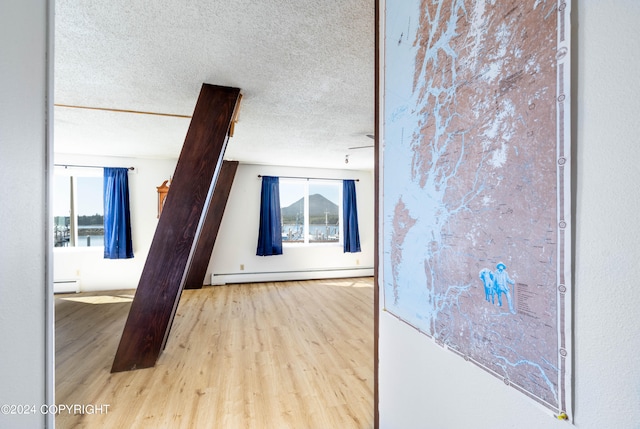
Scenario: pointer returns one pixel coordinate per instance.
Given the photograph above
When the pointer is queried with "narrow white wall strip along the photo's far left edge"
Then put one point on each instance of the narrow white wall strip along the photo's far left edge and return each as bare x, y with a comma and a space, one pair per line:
26, 368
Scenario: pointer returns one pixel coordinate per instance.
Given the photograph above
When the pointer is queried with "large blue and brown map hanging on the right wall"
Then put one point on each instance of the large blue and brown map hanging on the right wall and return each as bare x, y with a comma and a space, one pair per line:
476, 191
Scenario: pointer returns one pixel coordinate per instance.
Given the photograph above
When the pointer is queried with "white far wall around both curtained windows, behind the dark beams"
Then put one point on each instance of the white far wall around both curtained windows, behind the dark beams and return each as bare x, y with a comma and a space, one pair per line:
237, 239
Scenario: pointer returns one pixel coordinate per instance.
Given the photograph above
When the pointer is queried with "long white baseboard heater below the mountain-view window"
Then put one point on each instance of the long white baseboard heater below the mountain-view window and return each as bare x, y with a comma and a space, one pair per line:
274, 276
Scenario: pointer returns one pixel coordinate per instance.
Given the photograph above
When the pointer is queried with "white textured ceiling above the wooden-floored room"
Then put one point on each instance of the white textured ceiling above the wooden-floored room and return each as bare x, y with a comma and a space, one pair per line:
305, 69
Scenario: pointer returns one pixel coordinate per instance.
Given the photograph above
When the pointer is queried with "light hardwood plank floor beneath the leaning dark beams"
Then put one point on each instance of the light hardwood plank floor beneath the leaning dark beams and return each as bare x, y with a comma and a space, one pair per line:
260, 355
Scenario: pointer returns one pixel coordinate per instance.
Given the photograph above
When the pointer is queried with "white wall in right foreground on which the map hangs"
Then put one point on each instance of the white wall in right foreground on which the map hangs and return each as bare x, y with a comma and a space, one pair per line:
423, 386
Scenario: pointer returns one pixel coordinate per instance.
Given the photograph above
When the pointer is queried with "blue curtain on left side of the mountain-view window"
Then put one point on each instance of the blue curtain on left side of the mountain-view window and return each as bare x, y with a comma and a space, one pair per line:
270, 233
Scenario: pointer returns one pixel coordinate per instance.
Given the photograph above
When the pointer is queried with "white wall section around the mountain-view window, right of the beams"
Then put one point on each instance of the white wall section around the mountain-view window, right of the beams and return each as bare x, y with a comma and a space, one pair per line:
238, 236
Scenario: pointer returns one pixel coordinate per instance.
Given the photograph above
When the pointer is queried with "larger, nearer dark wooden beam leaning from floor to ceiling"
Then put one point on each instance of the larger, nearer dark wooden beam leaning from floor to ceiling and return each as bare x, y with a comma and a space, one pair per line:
162, 280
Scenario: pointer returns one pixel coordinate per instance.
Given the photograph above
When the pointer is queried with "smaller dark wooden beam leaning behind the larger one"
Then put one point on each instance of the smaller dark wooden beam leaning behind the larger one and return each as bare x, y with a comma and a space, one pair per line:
204, 247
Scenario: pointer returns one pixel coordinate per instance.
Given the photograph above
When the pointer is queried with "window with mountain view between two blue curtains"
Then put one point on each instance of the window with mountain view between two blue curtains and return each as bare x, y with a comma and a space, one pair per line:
311, 211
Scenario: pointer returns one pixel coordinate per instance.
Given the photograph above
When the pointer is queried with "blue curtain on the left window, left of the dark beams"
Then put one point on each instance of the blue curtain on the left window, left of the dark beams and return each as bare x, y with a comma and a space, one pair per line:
117, 219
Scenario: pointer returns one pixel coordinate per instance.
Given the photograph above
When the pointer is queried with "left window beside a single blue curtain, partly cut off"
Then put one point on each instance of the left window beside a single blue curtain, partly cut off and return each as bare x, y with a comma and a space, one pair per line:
78, 211
